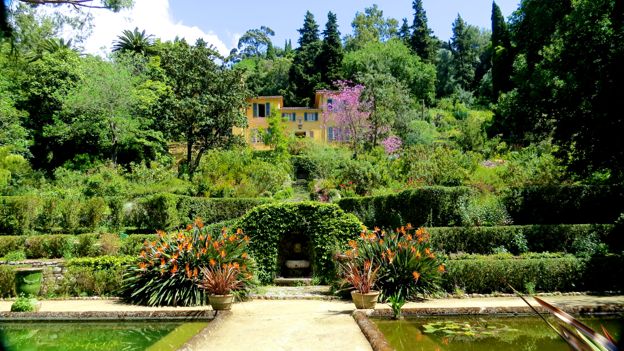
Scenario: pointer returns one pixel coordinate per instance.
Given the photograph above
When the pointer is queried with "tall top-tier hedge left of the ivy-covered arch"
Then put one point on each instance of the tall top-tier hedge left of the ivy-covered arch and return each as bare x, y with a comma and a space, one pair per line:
34, 214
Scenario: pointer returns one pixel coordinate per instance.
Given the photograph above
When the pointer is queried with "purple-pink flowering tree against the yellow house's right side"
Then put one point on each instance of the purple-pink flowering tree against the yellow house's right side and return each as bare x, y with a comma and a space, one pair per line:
350, 113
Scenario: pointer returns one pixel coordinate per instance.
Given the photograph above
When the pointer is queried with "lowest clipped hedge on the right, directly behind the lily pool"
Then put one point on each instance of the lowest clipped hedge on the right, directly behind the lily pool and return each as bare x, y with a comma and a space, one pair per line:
546, 272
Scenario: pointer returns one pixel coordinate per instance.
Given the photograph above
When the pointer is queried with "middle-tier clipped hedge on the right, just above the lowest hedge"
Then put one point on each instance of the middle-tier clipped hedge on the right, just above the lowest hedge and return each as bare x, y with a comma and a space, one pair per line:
579, 239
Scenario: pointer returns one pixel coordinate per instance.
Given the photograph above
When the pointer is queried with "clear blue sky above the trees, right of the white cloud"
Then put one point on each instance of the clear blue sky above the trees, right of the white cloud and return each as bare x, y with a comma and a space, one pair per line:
228, 19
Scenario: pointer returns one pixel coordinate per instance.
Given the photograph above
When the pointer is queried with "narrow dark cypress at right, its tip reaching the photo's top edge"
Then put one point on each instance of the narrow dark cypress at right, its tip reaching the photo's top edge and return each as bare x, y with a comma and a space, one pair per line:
502, 59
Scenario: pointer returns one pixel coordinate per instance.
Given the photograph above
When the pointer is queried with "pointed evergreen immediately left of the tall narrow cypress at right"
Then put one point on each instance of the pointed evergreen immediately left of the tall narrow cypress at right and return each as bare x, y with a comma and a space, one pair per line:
463, 57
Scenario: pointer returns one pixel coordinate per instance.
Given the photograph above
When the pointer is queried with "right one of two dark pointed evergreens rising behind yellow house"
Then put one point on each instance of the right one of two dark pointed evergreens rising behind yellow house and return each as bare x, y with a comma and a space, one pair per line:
330, 57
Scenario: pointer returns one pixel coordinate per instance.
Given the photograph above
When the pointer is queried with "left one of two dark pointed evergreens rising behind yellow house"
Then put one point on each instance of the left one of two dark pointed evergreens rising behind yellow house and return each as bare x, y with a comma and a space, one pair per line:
304, 74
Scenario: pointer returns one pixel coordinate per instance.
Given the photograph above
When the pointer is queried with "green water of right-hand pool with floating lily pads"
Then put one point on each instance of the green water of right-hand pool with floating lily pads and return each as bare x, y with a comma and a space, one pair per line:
479, 333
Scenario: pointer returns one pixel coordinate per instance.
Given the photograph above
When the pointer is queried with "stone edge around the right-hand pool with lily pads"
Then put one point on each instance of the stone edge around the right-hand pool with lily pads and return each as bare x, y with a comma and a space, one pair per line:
379, 342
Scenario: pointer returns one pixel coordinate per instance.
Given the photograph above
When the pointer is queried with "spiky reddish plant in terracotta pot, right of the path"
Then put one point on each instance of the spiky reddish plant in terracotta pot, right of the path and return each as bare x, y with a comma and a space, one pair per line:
362, 276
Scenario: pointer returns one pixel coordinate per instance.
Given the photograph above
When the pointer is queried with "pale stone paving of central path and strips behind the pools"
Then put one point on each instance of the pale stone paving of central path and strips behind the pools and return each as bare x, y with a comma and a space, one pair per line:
298, 318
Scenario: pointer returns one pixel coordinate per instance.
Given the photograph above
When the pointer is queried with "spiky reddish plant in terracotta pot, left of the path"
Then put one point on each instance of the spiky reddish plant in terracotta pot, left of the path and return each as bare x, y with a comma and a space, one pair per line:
219, 281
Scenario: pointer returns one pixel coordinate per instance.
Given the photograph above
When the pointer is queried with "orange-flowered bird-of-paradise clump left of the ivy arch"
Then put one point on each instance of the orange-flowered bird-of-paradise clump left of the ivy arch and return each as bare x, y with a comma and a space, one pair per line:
168, 270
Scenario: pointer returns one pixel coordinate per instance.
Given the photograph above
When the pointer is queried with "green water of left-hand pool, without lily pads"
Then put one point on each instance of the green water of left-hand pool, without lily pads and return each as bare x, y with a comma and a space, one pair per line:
98, 336
